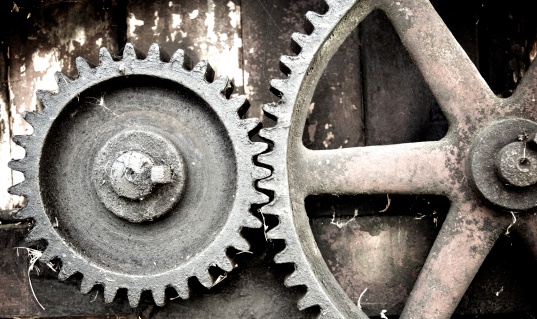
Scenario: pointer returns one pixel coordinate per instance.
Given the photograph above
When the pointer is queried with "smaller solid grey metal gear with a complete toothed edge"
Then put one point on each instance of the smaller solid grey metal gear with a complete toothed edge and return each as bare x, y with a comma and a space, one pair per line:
180, 137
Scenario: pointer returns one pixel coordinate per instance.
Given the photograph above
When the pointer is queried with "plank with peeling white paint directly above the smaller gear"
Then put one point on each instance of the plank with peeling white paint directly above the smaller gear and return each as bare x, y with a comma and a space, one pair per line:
206, 30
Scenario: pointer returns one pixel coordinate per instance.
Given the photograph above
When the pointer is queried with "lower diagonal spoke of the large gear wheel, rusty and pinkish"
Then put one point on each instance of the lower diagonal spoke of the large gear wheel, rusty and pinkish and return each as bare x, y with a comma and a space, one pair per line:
466, 238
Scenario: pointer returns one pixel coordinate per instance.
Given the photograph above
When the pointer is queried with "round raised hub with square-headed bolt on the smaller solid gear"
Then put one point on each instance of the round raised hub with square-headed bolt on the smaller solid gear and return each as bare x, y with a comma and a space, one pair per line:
139, 175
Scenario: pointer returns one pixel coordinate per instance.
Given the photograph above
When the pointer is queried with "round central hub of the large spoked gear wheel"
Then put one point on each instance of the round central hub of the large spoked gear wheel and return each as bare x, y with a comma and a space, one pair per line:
503, 164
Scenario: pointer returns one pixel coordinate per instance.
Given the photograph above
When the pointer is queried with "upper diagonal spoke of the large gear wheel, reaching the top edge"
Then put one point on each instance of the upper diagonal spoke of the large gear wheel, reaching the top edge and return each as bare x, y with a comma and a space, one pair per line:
453, 78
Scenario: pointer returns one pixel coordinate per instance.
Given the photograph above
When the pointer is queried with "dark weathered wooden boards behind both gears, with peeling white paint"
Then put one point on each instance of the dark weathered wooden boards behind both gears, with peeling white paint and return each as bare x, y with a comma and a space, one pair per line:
370, 94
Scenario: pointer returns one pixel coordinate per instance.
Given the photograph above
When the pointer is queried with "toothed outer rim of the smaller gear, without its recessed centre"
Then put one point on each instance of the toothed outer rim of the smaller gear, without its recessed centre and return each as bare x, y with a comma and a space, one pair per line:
199, 80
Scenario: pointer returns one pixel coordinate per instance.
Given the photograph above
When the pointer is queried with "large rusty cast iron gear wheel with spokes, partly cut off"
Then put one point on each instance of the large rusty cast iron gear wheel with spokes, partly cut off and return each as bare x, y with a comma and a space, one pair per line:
484, 192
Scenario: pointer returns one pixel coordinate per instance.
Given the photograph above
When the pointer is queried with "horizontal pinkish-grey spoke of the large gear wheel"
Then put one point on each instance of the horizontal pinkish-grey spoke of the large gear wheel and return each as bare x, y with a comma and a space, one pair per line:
417, 168
